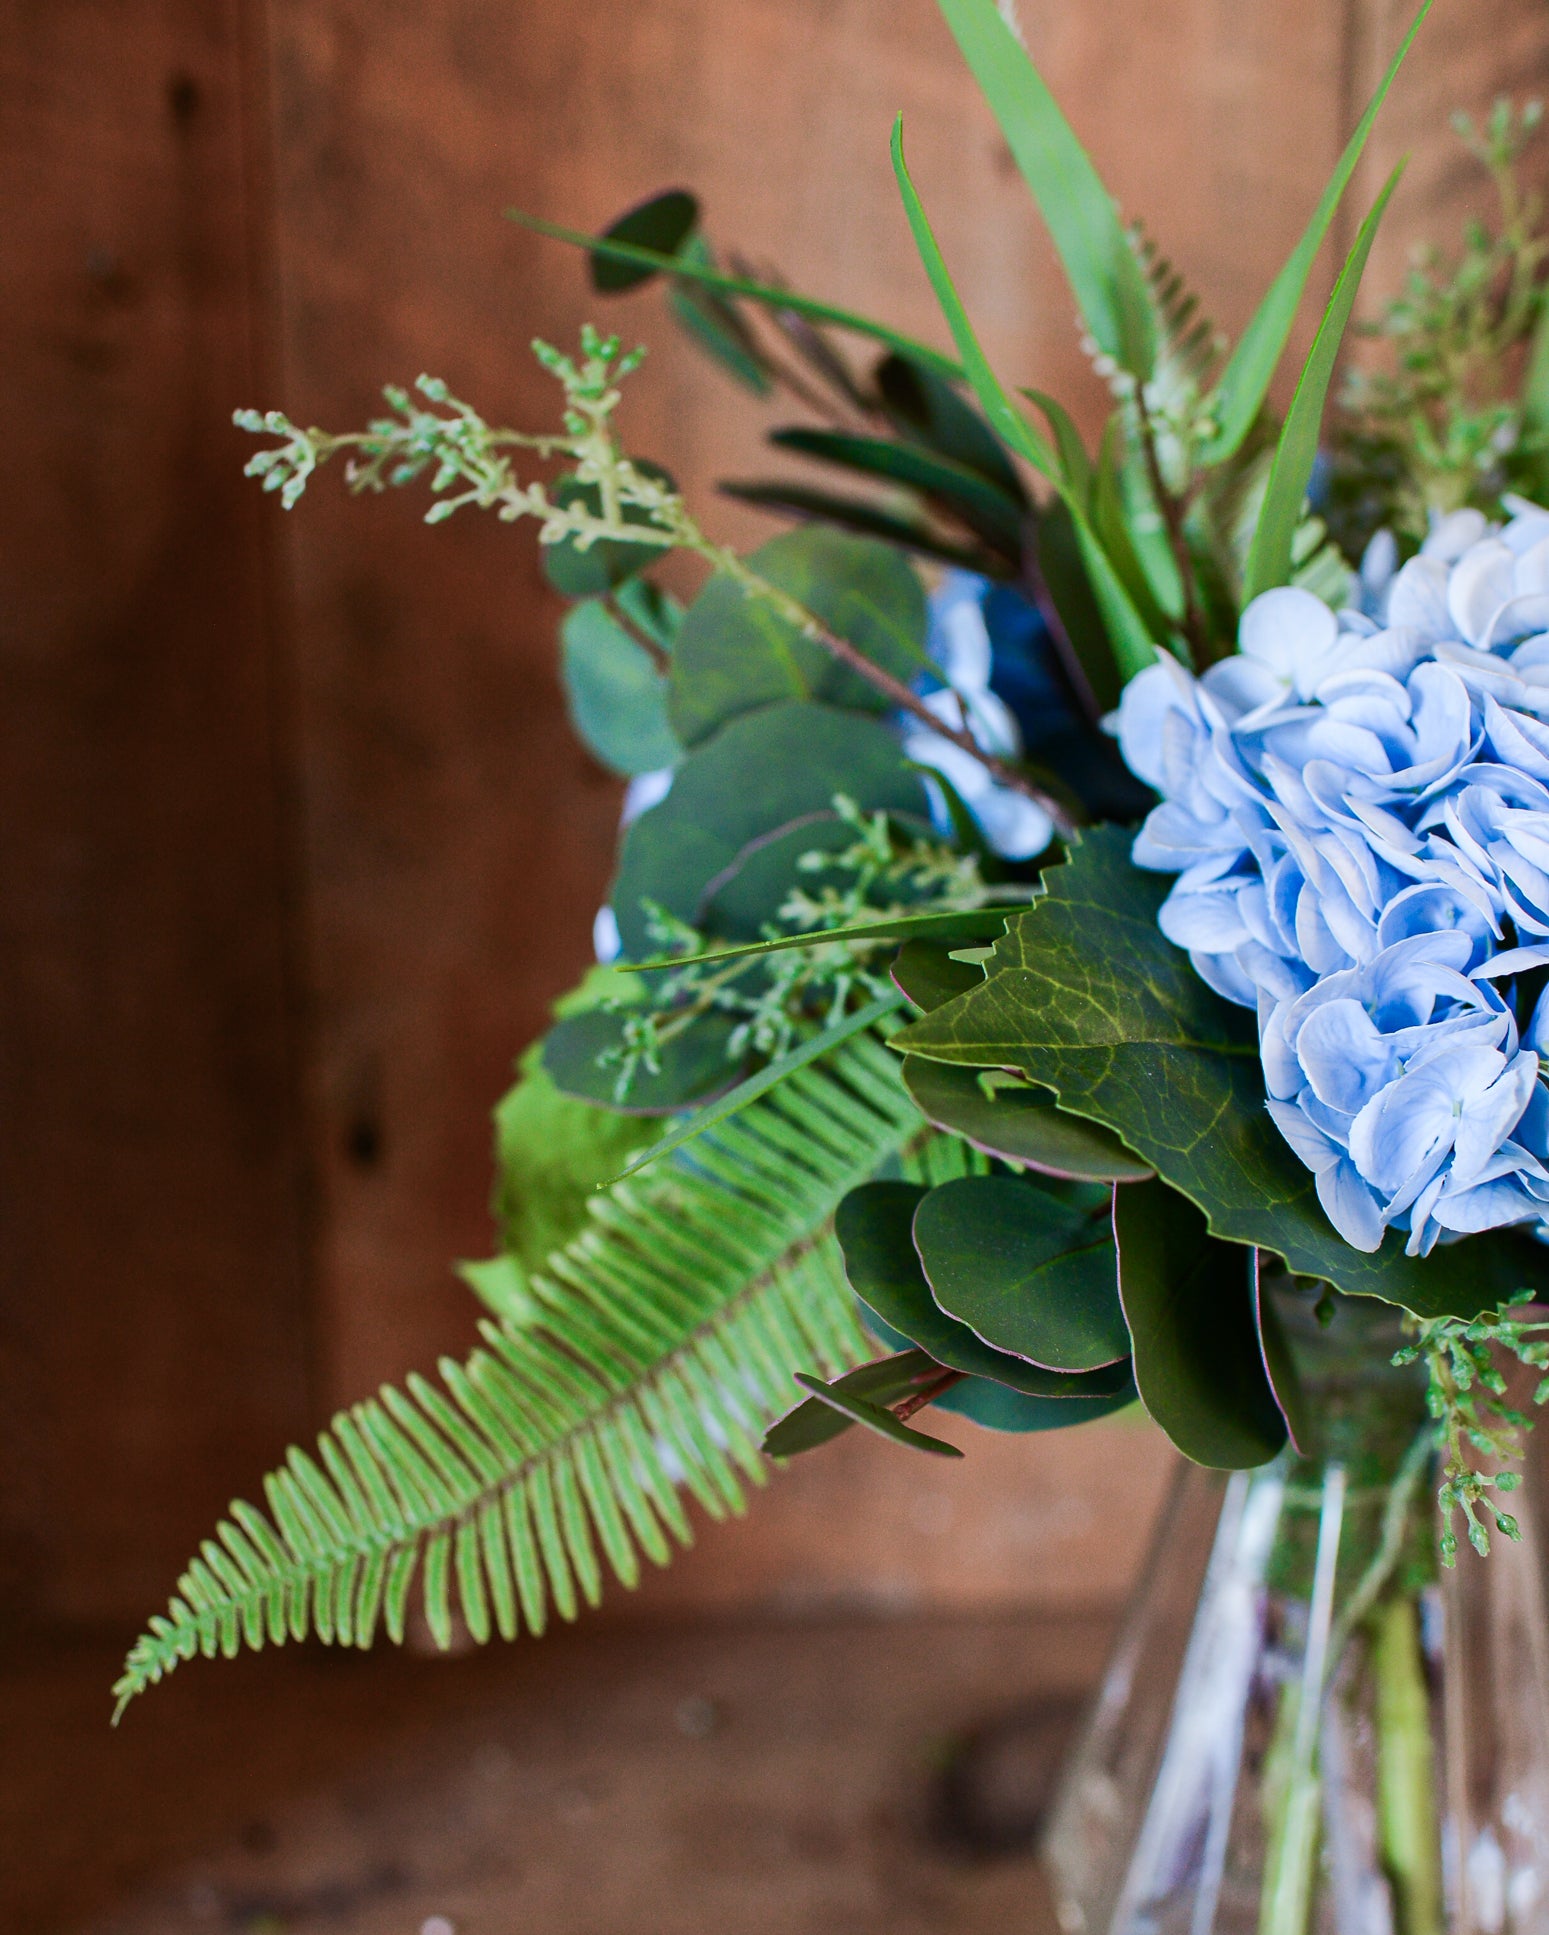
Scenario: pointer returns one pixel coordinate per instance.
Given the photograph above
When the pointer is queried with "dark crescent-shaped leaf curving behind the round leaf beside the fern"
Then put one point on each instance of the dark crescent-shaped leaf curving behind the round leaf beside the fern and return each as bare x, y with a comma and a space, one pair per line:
875, 1230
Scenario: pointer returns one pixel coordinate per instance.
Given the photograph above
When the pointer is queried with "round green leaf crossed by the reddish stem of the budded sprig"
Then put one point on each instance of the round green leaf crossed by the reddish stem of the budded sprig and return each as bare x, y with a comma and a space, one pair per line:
738, 653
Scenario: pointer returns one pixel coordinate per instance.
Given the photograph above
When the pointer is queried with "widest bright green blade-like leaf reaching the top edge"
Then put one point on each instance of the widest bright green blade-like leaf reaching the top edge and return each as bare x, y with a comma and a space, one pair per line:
1076, 206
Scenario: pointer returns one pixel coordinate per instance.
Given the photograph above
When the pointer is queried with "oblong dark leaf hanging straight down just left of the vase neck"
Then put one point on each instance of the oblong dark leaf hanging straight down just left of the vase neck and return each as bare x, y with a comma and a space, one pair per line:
1192, 1311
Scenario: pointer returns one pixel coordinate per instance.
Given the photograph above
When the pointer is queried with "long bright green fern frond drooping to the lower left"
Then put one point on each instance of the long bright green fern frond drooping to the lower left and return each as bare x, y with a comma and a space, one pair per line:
660, 1348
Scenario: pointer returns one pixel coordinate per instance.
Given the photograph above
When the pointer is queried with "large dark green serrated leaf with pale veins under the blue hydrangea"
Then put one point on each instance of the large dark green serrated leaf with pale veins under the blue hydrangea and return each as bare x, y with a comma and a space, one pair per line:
1088, 997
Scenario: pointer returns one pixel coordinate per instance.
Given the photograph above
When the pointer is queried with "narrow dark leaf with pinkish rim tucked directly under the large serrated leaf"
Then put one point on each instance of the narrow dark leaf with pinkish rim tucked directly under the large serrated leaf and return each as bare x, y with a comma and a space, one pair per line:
1022, 1125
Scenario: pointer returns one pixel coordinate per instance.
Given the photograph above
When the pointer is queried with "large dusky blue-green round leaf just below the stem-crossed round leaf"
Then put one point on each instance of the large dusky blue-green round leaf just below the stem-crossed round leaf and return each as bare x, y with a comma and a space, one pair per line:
757, 775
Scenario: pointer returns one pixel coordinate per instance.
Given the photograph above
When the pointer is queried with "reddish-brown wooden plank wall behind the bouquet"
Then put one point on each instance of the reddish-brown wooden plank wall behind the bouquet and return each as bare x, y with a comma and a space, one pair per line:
295, 845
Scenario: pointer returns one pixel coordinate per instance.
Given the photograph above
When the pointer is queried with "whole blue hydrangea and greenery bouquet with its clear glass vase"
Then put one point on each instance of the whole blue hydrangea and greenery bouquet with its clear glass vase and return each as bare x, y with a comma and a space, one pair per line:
1080, 938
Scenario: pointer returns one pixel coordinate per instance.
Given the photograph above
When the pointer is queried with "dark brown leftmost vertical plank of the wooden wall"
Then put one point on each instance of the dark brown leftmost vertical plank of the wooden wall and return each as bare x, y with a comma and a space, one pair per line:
154, 1317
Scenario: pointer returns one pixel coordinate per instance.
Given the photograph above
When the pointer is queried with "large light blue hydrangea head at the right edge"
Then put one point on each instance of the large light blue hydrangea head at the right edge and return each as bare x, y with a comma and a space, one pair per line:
1357, 808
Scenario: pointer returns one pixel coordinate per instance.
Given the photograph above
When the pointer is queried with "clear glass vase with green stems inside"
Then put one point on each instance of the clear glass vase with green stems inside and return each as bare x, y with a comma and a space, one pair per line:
1310, 1725
